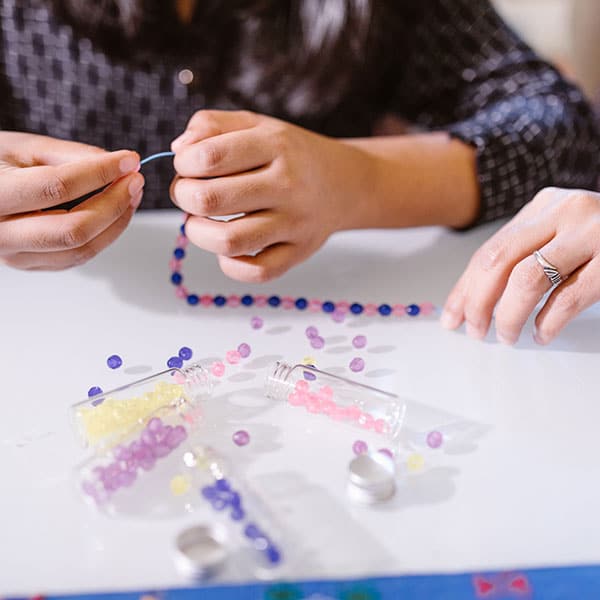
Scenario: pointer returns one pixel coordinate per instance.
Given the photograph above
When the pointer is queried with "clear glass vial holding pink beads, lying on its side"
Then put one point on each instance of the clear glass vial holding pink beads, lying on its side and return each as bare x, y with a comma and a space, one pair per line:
337, 398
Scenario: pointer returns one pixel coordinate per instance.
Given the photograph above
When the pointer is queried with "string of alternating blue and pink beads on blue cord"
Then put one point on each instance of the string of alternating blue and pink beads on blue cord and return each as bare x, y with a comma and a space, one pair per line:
275, 301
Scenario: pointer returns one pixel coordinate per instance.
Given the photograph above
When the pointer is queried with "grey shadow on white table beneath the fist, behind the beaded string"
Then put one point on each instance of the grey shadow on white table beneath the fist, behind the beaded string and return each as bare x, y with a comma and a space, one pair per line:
421, 271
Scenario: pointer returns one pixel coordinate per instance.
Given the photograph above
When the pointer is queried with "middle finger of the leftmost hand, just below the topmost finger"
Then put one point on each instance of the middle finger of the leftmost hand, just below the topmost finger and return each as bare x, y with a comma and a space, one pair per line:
58, 231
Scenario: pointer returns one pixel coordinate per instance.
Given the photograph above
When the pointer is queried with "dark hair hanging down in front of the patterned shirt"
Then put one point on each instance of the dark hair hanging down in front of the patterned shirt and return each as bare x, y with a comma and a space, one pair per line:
293, 57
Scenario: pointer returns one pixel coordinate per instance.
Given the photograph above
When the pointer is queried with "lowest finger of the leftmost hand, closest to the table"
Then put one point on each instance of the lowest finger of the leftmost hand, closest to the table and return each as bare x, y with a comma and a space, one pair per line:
57, 261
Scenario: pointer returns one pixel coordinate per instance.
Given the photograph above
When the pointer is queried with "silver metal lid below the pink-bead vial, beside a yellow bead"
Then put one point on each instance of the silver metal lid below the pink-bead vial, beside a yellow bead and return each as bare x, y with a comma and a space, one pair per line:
371, 478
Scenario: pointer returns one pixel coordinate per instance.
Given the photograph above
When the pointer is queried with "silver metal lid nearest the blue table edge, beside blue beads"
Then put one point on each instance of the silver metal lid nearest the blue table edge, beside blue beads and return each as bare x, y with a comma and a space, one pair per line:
201, 550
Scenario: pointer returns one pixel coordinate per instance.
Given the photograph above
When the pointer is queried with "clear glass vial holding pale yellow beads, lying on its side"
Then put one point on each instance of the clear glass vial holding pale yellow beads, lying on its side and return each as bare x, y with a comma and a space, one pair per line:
105, 416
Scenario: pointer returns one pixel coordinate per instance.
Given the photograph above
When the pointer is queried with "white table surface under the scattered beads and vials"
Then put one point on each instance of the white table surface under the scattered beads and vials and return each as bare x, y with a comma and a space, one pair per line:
522, 491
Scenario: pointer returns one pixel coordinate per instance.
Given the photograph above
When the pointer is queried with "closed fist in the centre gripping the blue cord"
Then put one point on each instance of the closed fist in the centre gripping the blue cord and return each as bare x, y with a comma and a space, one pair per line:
294, 187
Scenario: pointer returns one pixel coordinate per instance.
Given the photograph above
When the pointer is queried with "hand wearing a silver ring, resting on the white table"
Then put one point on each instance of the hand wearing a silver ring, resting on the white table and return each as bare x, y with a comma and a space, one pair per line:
564, 225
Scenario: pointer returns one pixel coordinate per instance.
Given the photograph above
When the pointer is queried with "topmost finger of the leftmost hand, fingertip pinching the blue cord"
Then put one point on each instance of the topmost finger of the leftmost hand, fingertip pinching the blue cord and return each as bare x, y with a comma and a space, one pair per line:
36, 188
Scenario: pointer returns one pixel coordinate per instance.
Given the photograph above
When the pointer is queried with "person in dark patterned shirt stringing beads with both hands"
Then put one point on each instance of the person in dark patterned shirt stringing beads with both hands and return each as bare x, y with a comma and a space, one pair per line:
314, 77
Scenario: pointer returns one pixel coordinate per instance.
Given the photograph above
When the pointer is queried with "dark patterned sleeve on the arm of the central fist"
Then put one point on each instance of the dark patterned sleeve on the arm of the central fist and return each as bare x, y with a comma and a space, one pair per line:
469, 74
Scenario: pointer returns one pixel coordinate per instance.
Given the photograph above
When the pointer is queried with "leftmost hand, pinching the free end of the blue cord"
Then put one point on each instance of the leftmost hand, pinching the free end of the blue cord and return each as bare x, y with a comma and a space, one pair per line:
37, 173
